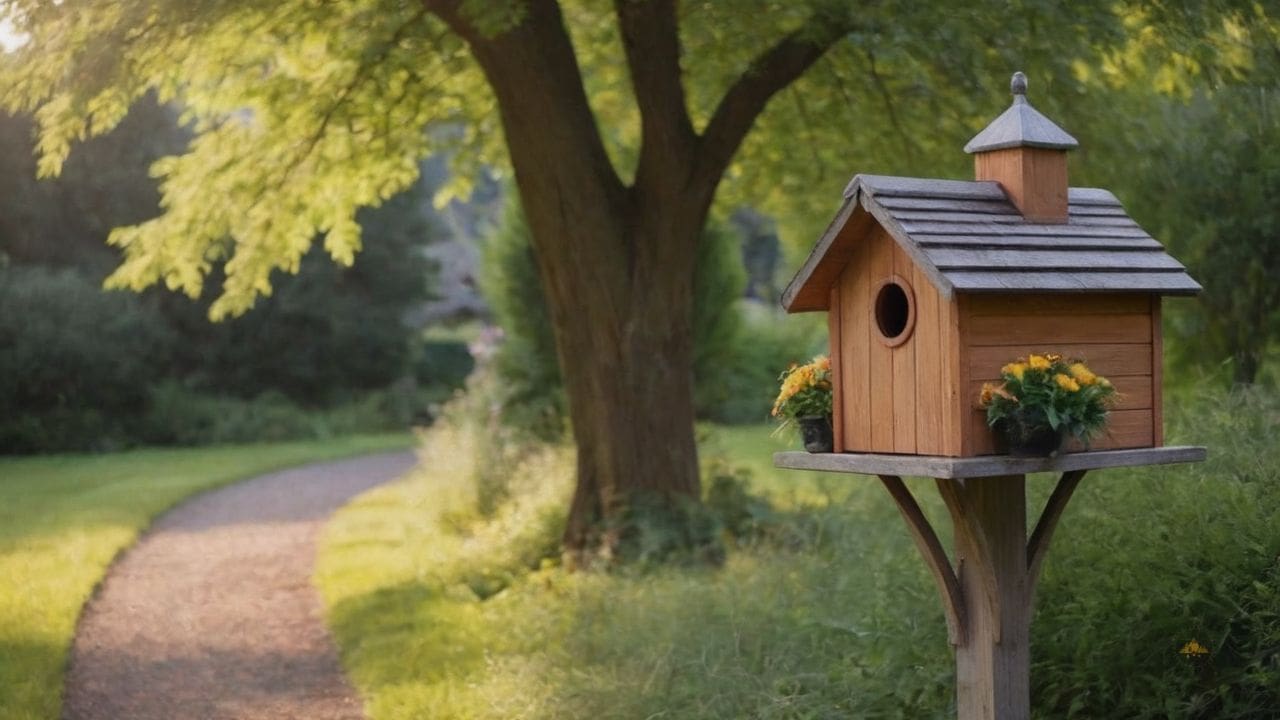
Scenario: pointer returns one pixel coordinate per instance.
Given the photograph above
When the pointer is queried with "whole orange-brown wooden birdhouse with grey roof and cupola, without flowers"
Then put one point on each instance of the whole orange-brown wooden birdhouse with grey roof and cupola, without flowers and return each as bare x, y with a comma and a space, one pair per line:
931, 286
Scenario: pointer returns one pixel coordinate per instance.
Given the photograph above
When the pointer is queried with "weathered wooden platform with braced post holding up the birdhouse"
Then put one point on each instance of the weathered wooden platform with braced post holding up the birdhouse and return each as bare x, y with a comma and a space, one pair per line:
989, 591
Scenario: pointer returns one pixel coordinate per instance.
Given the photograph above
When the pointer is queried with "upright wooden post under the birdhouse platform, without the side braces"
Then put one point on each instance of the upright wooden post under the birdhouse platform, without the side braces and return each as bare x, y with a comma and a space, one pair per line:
994, 664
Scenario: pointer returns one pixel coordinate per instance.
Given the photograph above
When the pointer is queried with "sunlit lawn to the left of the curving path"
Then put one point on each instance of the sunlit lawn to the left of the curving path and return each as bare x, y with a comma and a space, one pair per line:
65, 518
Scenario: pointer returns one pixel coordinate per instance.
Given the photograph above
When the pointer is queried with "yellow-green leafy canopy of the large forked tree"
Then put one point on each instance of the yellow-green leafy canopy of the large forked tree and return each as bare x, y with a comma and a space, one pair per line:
307, 111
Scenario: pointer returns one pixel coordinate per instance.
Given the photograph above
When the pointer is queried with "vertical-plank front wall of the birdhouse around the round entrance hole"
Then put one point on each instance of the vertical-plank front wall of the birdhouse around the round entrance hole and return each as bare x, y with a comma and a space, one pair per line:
894, 399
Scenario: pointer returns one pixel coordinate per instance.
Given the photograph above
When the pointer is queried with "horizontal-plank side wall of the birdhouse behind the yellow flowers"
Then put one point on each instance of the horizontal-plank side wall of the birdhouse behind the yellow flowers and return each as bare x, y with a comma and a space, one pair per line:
1117, 335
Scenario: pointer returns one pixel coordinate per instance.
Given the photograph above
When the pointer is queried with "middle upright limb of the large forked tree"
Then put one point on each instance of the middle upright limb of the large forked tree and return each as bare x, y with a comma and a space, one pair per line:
651, 39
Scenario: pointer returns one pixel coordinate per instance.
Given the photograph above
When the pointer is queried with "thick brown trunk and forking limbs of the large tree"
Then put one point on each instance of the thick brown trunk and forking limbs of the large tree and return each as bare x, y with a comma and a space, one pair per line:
618, 262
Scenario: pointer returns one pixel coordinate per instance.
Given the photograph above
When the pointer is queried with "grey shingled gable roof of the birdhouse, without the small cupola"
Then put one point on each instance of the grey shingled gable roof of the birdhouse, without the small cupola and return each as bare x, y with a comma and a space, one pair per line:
967, 236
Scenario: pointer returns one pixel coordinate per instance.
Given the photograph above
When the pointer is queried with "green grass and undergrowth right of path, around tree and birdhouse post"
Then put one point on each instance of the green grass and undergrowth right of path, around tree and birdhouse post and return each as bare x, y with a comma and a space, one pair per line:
442, 613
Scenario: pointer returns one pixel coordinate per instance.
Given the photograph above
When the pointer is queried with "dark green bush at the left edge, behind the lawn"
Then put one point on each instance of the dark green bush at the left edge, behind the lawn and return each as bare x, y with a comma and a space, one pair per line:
76, 363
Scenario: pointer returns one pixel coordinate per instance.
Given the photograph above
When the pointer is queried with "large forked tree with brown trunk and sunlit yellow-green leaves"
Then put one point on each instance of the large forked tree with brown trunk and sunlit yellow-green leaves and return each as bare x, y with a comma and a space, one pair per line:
307, 111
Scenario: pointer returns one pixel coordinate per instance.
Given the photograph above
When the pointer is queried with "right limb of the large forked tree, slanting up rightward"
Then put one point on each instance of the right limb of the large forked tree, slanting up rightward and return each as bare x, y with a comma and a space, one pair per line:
776, 69
